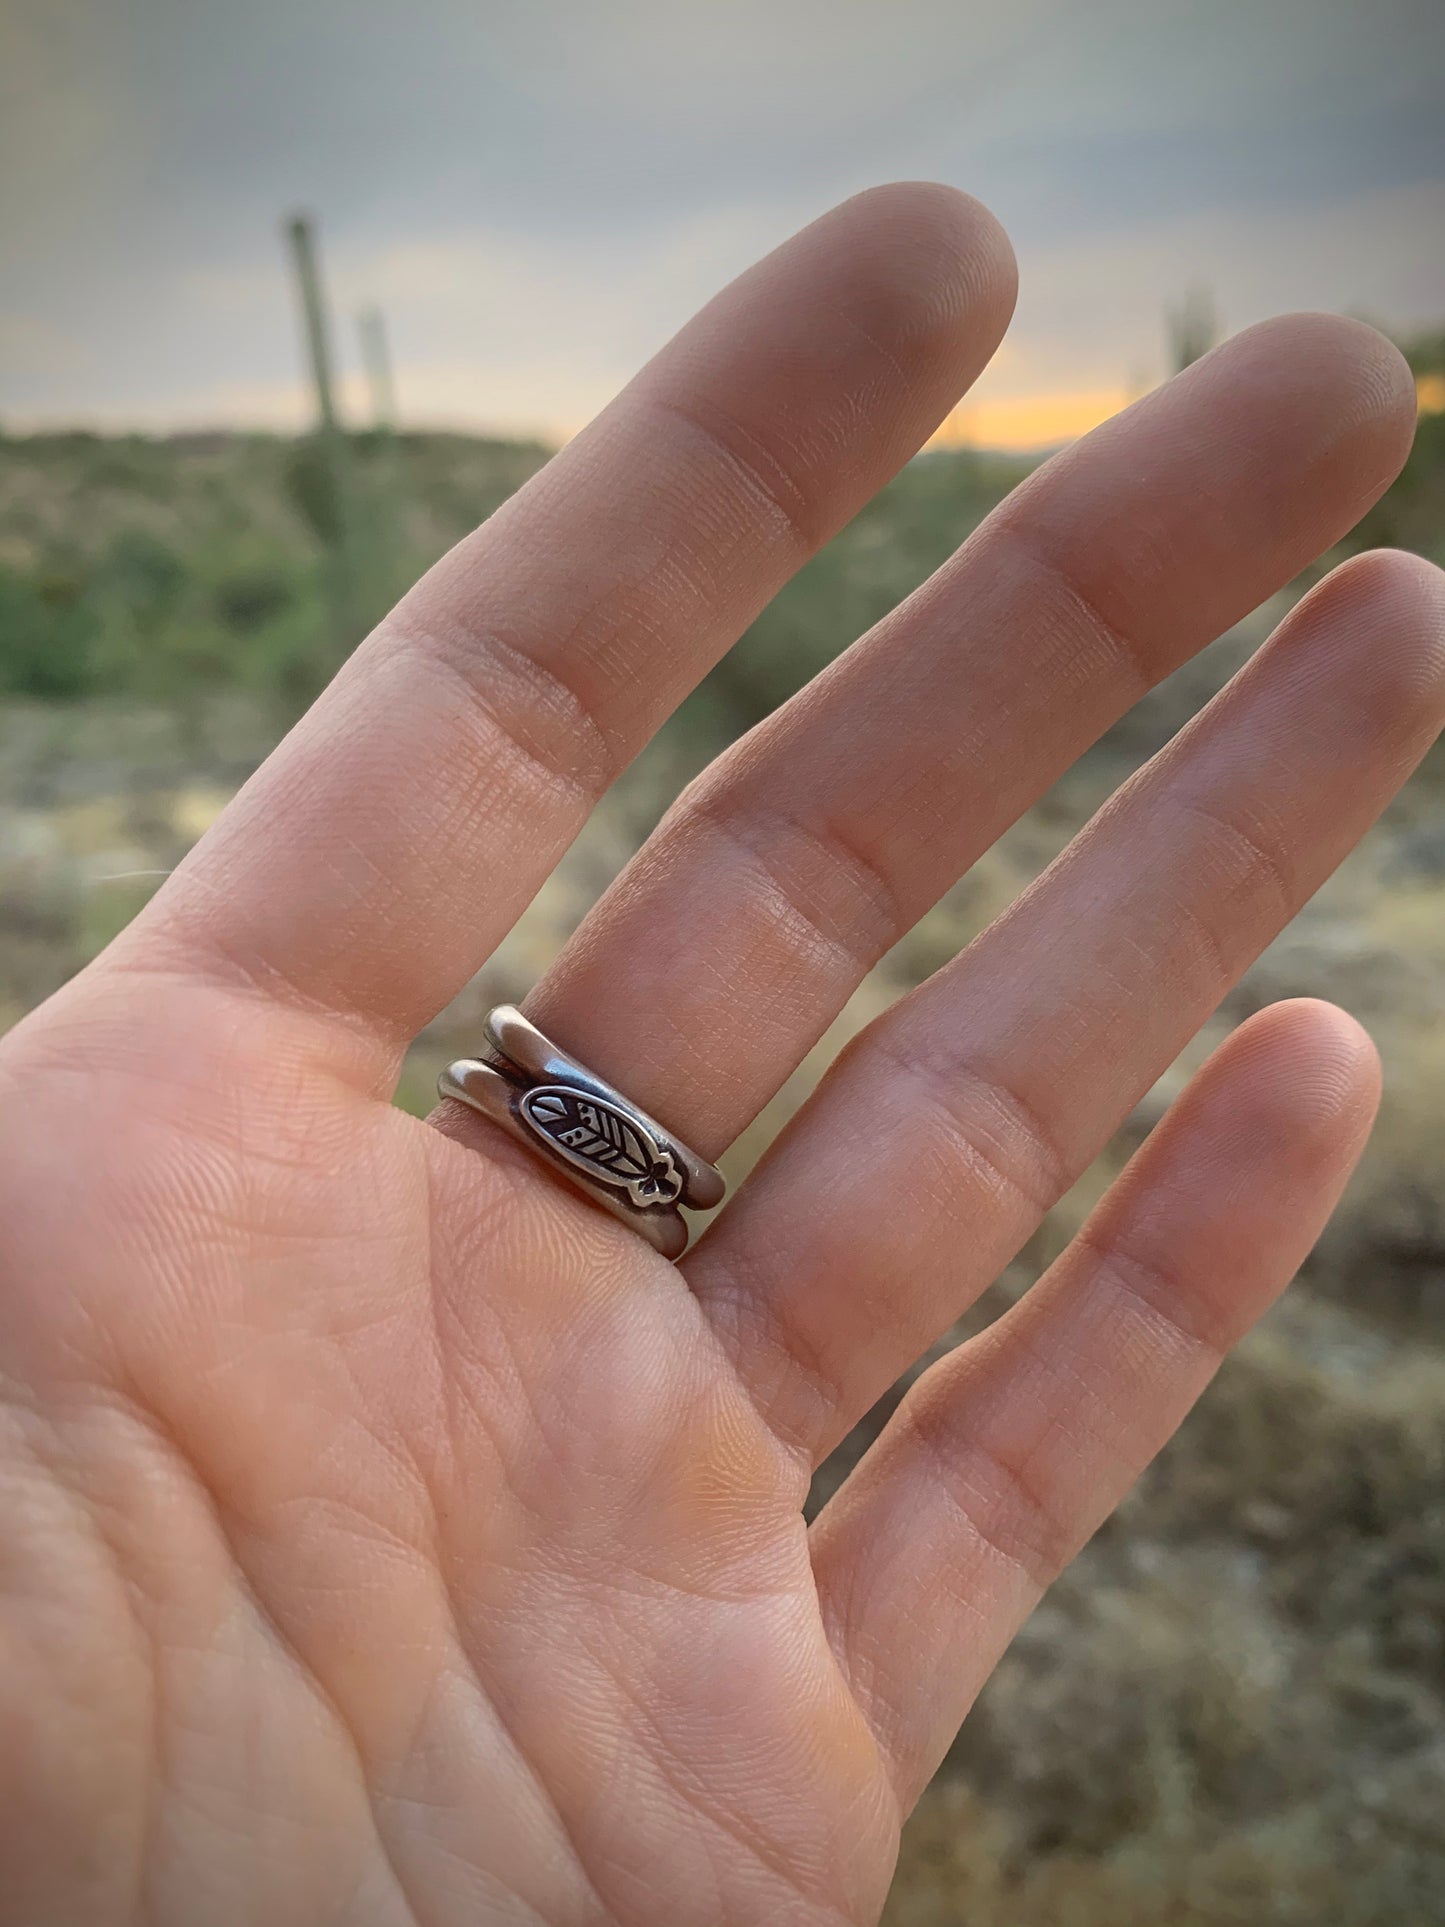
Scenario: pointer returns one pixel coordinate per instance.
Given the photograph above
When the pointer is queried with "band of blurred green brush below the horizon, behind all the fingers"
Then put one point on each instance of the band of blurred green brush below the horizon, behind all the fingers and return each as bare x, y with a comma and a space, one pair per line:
172, 569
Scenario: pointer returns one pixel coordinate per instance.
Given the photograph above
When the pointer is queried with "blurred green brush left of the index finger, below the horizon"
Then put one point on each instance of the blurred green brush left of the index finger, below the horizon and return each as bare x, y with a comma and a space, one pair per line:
169, 571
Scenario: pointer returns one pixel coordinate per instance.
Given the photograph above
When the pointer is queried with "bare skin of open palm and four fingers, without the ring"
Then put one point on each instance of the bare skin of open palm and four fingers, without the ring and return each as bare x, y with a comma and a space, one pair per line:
394, 1539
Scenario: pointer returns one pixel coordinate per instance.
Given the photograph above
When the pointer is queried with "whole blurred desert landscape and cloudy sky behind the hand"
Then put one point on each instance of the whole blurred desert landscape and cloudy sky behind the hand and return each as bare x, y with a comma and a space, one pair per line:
1232, 1710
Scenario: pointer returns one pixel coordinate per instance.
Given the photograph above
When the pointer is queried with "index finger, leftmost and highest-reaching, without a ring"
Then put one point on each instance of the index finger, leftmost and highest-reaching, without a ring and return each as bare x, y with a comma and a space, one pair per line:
392, 841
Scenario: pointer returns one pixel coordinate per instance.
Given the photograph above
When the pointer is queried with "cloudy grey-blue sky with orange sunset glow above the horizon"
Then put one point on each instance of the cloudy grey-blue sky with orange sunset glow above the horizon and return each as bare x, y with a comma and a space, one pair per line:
539, 192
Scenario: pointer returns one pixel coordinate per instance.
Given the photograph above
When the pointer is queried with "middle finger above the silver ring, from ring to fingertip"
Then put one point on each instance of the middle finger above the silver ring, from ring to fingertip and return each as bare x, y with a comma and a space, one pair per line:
801, 857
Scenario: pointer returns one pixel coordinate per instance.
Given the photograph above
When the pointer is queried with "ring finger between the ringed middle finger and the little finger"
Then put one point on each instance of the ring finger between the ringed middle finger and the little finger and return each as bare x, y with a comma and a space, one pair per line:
960, 1117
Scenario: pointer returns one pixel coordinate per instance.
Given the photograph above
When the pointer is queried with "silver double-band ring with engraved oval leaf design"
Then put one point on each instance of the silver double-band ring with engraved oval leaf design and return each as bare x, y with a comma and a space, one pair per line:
587, 1130
